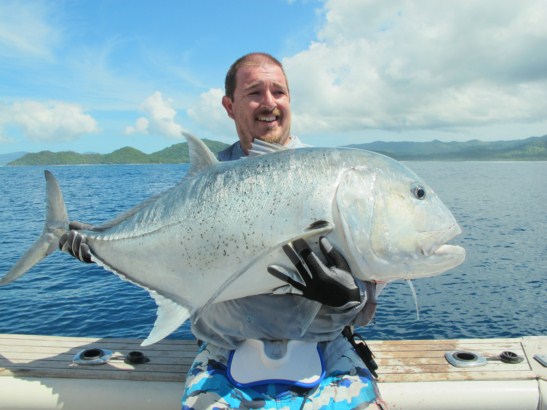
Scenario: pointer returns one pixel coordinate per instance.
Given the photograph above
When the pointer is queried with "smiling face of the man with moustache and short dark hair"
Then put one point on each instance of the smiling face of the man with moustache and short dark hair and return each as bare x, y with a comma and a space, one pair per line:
261, 104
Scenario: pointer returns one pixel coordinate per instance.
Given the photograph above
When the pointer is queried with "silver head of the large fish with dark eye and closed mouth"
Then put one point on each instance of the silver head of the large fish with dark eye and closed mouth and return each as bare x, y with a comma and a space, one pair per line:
393, 225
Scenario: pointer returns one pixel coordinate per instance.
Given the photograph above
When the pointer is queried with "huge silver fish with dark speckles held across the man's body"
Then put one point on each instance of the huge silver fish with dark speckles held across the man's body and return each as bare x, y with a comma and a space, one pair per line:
211, 237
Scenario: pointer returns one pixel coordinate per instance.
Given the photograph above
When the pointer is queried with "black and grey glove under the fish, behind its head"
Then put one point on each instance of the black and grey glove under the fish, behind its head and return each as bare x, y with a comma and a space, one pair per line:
332, 285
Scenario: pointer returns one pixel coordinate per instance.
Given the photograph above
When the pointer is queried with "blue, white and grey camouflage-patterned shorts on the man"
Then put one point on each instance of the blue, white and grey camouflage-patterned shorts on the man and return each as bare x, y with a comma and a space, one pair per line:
347, 385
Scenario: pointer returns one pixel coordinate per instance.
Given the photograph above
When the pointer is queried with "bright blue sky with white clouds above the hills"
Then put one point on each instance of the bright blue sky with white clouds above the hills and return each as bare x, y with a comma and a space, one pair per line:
100, 75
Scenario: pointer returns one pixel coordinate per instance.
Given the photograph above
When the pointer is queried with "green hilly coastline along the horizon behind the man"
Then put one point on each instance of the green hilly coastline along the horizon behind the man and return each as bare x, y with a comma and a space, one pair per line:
529, 149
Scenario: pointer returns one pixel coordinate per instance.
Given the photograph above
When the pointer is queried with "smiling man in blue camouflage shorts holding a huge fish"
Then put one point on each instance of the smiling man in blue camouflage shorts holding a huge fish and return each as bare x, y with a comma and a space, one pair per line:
257, 98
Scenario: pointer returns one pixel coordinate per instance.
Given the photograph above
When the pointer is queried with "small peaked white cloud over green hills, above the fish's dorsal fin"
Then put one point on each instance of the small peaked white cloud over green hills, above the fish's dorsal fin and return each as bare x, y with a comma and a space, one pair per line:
159, 118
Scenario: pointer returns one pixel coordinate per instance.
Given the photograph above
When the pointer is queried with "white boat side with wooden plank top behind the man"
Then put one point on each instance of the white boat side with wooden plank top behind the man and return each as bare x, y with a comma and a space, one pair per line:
36, 372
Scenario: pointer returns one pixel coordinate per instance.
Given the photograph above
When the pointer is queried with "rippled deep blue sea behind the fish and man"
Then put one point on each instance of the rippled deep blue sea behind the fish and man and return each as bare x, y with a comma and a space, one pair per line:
499, 291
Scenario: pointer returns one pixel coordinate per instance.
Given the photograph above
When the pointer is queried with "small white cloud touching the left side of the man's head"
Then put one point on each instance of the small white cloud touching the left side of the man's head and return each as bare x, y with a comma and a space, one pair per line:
209, 112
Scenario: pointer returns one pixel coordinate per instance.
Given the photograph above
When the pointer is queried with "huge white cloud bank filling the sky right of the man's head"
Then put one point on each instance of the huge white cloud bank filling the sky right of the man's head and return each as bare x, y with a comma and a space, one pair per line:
406, 65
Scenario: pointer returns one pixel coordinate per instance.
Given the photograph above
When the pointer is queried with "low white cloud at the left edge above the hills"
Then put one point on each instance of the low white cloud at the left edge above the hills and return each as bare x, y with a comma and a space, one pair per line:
47, 121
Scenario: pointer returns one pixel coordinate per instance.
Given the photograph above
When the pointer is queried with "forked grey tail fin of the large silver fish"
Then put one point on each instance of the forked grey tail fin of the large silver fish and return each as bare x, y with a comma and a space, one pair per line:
56, 225
